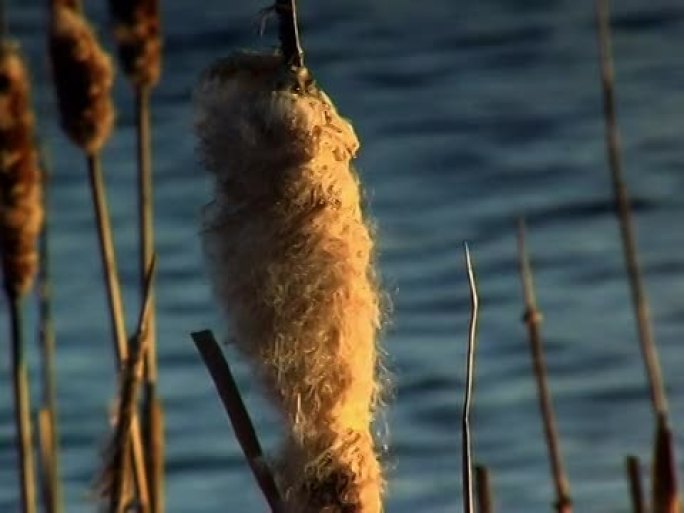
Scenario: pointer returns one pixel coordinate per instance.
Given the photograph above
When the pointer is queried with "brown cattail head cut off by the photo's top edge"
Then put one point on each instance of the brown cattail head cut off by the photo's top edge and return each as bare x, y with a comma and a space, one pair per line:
137, 32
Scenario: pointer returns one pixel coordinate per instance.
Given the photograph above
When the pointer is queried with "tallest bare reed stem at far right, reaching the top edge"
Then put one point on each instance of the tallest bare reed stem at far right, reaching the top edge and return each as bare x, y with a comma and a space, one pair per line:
622, 206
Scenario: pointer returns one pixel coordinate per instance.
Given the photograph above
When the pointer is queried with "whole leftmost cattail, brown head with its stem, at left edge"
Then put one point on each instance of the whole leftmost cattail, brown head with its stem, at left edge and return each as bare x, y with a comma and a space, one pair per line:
21, 216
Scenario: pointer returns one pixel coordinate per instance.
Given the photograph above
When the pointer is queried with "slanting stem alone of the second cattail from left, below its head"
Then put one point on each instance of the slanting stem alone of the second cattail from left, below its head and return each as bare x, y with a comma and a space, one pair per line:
116, 313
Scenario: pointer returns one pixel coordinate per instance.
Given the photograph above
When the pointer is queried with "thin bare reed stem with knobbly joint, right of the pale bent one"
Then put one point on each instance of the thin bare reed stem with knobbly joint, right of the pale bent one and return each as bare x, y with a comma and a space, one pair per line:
532, 318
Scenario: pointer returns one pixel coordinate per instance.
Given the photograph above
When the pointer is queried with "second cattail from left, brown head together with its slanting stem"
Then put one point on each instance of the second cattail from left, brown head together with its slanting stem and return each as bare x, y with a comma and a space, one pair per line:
83, 77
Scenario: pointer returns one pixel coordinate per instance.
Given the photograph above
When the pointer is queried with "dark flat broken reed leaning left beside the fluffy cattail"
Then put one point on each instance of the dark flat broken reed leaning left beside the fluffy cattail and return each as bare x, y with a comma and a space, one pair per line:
237, 413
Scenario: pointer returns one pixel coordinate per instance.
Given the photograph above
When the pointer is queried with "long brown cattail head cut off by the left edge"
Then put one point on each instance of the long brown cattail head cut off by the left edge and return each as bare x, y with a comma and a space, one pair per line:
21, 213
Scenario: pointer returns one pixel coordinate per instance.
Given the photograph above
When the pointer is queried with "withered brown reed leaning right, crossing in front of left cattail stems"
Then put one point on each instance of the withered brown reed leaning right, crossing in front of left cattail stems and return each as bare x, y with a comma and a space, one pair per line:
131, 377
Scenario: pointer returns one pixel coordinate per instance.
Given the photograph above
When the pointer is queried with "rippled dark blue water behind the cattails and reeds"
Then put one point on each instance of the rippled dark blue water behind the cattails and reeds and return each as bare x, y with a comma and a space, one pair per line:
470, 115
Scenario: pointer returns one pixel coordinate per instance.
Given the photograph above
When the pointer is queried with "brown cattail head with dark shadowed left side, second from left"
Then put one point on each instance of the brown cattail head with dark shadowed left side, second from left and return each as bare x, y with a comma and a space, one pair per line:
83, 77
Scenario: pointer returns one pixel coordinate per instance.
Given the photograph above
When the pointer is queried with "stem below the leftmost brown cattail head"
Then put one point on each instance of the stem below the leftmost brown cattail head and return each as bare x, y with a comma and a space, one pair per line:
22, 406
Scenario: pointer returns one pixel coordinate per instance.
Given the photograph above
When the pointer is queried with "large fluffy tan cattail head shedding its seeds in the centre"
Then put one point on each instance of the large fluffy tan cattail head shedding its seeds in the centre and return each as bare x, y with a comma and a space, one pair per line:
291, 266
